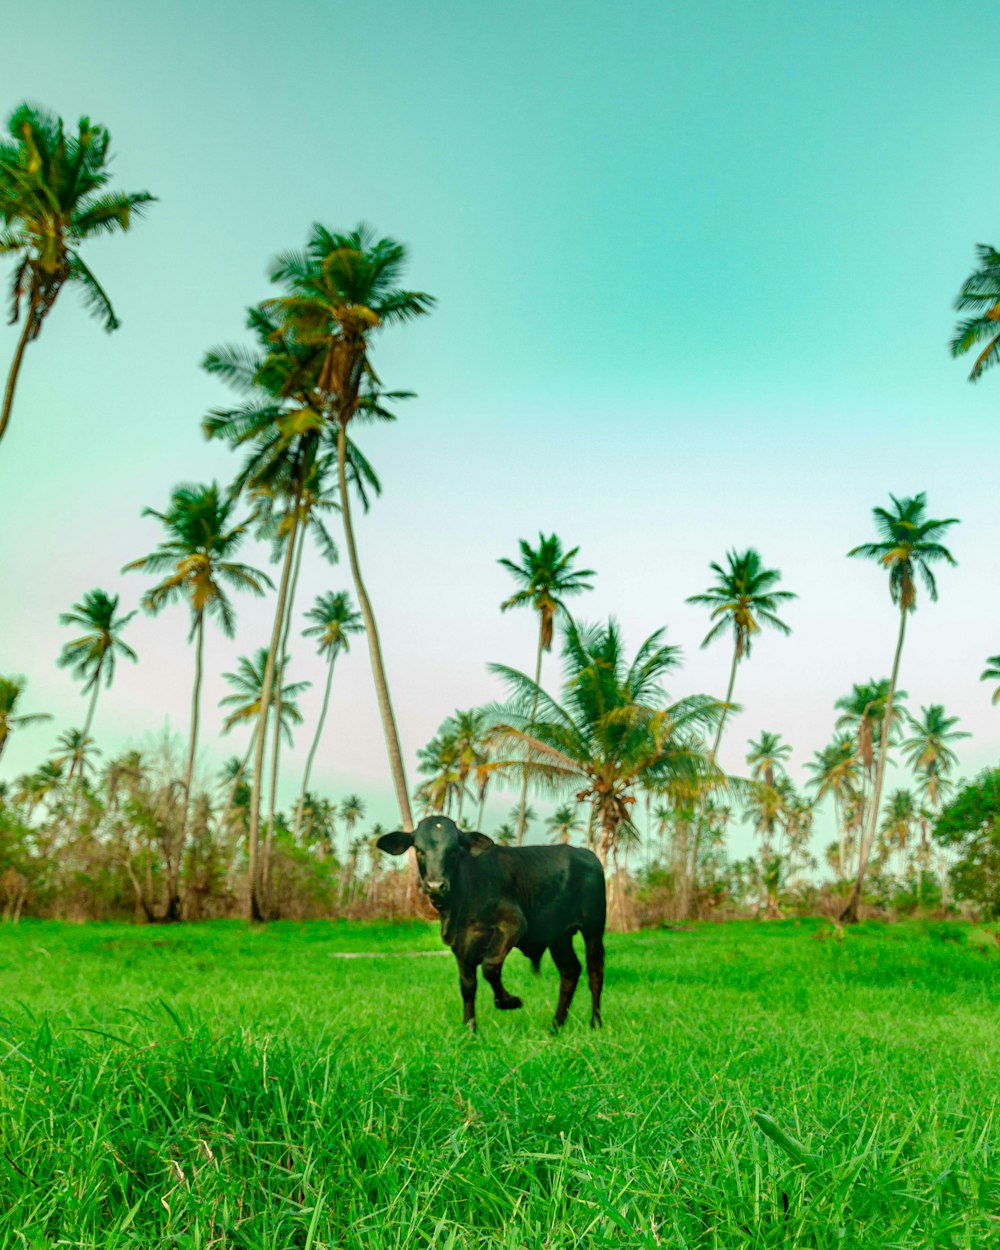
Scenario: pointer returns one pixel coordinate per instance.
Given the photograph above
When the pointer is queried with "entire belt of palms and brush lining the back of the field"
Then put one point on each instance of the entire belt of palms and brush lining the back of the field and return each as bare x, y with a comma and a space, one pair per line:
633, 769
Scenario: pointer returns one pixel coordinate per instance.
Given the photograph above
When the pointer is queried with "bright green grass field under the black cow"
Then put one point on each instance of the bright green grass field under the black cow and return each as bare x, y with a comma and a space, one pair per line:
213, 1086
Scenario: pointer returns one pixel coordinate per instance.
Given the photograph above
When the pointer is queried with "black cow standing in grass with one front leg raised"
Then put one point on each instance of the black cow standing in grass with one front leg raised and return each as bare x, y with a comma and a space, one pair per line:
496, 898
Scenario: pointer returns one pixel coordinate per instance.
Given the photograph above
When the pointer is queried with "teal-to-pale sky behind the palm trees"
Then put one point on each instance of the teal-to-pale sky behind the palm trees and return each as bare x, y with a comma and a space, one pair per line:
696, 267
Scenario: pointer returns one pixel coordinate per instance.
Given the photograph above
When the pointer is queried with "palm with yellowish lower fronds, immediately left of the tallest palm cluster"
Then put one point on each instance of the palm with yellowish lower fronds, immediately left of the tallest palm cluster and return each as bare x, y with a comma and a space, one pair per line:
197, 557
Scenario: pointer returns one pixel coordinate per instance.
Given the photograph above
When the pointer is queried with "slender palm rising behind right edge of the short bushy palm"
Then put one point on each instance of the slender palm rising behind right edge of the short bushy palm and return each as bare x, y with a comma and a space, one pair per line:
743, 599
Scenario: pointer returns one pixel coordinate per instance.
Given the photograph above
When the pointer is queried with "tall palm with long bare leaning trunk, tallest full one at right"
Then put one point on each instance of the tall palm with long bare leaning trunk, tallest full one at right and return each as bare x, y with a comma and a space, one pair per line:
908, 544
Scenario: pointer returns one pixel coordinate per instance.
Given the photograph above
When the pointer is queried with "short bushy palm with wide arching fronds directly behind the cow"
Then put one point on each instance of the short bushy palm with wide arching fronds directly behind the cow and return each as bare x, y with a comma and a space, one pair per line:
614, 731
